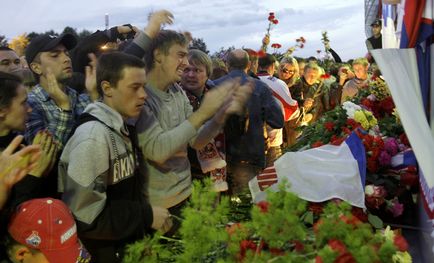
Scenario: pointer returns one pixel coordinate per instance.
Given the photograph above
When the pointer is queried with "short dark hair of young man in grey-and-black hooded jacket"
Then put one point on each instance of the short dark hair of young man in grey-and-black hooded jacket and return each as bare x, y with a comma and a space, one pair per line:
110, 66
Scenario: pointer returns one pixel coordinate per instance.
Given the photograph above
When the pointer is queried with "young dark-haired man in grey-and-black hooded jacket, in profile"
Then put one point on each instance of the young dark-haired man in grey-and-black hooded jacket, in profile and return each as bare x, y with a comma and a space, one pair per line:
102, 172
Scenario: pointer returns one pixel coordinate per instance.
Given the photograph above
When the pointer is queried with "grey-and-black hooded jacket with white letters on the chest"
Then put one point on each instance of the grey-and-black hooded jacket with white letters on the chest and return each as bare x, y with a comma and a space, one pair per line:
101, 177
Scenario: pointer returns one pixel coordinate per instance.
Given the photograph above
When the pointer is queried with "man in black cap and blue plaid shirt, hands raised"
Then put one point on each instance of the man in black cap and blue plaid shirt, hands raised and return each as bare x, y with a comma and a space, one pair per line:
55, 106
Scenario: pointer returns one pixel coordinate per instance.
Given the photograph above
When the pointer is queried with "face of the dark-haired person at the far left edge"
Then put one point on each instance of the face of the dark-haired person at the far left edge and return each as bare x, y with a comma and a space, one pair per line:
15, 116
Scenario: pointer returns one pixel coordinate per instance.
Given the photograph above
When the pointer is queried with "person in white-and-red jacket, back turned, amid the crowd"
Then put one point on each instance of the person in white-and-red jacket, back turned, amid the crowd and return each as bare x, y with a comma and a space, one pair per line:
267, 68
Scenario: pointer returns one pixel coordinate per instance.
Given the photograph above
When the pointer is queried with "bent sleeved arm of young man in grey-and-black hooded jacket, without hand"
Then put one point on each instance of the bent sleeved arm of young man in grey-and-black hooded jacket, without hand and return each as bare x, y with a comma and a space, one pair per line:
85, 193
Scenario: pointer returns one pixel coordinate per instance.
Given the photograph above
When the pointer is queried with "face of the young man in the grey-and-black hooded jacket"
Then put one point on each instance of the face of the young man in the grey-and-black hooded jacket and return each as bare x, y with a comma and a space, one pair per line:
128, 95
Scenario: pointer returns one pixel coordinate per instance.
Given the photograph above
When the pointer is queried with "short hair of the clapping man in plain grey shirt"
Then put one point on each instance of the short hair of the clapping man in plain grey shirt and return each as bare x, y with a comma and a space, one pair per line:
164, 40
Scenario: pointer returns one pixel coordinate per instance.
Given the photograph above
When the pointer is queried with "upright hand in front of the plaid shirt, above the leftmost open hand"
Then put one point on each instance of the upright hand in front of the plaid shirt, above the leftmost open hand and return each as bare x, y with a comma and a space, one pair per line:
49, 149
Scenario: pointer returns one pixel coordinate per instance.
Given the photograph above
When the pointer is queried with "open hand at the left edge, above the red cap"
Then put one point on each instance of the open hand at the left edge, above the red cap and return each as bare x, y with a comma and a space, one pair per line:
14, 166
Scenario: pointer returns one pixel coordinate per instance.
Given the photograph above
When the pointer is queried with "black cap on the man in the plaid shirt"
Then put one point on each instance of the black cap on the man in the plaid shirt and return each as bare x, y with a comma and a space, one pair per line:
47, 42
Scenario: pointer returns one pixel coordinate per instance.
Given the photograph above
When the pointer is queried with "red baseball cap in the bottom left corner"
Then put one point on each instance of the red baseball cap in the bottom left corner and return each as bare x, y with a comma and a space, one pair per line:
47, 225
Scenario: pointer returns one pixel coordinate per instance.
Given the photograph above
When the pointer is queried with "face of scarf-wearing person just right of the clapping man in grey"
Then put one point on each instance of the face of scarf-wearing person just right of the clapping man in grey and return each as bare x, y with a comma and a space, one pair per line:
194, 77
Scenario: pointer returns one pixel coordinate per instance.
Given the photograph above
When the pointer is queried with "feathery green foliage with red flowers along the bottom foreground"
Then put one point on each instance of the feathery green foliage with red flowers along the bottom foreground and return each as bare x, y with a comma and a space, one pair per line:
277, 231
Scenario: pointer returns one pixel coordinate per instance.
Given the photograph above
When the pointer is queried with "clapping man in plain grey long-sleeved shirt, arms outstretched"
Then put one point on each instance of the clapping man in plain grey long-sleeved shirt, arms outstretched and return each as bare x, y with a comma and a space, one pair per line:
167, 122
